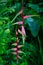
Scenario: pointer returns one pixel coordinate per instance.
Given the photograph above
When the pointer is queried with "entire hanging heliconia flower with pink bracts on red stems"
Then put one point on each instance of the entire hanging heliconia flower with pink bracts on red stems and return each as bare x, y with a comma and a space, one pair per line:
22, 32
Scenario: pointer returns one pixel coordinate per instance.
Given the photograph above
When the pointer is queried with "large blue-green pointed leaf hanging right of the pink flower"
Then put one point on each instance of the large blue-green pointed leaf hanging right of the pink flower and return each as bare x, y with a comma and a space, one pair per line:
33, 25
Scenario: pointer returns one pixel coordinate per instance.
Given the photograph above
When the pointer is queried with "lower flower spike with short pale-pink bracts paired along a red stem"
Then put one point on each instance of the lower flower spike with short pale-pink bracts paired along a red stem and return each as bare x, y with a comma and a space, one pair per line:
16, 51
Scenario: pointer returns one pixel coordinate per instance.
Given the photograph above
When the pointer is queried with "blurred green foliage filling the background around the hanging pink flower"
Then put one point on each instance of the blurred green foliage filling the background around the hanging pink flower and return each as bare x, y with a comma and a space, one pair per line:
33, 47
